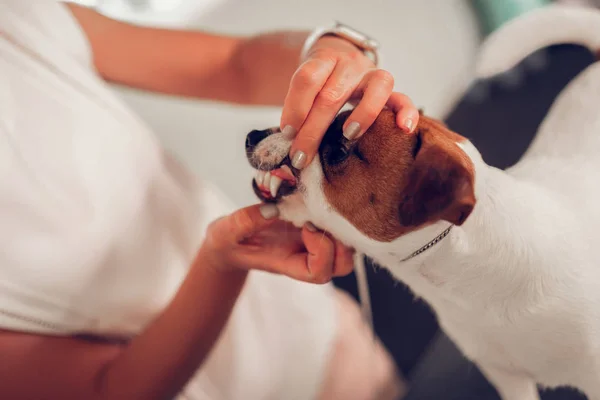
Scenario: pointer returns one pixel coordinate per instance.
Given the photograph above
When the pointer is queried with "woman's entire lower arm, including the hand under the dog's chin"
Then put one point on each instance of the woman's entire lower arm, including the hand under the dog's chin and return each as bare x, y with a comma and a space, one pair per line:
144, 368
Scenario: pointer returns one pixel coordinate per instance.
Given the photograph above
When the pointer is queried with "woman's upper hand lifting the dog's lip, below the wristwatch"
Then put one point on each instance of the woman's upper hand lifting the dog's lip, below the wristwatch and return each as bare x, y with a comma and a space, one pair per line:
337, 72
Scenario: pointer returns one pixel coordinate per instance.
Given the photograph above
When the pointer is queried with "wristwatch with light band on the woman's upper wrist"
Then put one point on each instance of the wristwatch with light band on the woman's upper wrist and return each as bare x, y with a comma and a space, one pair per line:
369, 46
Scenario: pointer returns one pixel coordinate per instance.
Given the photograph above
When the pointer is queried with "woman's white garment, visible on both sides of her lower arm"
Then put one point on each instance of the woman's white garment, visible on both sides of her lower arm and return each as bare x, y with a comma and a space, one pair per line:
98, 225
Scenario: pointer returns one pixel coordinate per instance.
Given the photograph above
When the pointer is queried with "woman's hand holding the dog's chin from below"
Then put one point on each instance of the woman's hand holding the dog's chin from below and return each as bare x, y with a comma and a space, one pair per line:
254, 238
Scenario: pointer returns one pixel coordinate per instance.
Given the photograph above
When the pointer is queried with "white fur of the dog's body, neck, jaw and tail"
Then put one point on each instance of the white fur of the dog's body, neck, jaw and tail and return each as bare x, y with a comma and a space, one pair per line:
517, 286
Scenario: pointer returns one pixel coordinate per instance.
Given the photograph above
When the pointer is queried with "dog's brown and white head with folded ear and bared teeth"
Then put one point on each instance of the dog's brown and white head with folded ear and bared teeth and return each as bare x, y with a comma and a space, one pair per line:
385, 184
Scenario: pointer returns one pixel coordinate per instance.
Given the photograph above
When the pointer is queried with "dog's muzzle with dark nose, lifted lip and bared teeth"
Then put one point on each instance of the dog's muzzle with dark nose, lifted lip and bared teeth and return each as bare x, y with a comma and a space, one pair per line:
268, 152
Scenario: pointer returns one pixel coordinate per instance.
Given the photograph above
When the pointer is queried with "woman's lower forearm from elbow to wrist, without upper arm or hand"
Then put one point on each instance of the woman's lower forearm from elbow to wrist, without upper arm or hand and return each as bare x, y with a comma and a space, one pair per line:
158, 363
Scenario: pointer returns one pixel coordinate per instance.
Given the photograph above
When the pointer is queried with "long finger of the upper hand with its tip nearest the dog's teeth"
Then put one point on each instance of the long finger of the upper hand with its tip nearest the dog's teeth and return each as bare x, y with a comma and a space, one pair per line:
327, 102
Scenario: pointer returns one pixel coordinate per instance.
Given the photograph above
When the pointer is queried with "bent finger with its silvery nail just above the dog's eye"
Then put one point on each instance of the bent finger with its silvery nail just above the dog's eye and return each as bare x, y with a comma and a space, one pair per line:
376, 88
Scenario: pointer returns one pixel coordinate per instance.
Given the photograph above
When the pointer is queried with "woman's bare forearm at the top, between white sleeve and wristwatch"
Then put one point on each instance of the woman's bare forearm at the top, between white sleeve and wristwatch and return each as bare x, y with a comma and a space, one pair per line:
193, 64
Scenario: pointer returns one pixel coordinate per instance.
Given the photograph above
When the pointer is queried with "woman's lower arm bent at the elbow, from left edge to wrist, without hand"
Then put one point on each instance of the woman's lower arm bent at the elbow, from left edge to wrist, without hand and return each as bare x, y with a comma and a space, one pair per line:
154, 366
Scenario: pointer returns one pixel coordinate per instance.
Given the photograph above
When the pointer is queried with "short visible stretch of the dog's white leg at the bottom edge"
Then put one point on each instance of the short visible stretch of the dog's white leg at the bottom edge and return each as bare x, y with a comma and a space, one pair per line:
511, 387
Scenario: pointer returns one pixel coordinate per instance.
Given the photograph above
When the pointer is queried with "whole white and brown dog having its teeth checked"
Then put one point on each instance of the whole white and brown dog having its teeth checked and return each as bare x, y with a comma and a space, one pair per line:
508, 260
